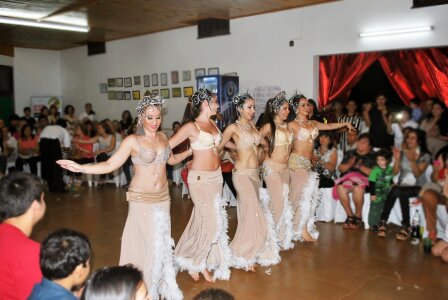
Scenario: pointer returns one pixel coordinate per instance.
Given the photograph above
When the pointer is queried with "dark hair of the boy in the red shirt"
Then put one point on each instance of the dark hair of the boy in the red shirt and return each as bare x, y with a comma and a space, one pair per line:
17, 193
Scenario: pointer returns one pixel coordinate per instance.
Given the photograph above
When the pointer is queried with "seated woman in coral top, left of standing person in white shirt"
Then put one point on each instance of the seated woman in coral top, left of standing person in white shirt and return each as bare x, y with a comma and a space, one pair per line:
28, 150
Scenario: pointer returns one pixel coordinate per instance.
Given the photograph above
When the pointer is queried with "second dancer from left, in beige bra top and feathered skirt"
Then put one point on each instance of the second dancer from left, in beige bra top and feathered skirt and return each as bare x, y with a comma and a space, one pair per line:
203, 246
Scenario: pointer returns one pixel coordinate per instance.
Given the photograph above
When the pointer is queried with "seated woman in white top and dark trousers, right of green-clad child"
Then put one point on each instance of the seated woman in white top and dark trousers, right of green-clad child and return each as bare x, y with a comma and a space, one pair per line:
411, 163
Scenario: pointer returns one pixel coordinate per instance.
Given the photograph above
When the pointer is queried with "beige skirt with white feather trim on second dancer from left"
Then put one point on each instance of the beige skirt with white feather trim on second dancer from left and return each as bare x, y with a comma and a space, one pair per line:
204, 243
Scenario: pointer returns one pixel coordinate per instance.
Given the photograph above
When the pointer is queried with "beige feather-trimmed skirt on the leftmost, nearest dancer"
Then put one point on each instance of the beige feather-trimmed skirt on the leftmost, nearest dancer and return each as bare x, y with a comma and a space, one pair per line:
147, 243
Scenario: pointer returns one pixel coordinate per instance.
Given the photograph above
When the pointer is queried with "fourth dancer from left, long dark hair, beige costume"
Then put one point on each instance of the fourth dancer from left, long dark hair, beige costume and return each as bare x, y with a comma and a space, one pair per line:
274, 169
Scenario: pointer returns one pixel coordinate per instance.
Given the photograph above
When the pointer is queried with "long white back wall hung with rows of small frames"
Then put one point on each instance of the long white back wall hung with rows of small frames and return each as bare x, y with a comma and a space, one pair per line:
258, 49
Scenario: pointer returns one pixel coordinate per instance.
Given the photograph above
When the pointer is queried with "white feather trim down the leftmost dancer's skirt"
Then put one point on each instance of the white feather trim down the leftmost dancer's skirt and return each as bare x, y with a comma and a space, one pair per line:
163, 277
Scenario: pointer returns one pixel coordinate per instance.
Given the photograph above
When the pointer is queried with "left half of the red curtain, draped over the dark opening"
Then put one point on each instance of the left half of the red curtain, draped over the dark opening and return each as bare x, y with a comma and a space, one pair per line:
339, 73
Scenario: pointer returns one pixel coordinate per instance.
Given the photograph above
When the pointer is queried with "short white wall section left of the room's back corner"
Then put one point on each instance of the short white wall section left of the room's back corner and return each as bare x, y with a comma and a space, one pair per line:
36, 73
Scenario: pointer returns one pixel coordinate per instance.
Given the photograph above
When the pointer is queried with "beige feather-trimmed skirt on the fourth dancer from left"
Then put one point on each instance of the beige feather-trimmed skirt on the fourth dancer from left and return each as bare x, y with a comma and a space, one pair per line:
276, 177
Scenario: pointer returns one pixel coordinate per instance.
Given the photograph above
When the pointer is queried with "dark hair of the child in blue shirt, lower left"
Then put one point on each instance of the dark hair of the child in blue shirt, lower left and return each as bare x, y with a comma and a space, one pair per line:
62, 251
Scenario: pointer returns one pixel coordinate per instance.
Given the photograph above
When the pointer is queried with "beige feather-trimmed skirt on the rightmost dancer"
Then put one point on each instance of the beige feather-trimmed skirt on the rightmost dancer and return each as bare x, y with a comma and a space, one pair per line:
304, 195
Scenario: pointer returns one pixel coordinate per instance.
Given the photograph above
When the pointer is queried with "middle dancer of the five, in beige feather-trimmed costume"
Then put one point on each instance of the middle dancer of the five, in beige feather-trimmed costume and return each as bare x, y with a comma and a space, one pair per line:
255, 241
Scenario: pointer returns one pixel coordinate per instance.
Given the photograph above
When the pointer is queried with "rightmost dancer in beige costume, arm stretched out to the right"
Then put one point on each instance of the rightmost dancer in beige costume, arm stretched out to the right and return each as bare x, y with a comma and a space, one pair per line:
305, 182
